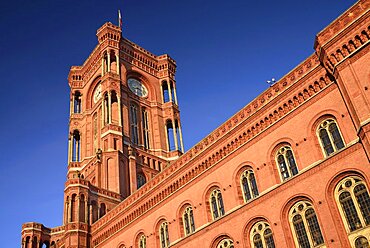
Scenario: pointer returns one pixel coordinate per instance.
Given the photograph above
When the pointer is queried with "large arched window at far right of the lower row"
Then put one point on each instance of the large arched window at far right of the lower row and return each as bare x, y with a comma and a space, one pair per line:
353, 201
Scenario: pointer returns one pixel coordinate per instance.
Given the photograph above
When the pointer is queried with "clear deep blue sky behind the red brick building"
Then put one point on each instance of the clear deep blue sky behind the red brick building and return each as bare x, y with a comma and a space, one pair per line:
225, 51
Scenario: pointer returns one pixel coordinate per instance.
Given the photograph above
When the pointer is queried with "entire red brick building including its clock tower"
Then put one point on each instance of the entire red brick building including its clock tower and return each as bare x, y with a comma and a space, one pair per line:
290, 169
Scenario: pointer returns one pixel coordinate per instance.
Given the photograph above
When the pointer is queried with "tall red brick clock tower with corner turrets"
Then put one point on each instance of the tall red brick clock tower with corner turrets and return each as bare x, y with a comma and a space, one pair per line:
124, 126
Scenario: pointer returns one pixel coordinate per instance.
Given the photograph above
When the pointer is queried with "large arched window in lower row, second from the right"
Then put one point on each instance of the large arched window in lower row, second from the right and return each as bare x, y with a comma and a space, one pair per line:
303, 219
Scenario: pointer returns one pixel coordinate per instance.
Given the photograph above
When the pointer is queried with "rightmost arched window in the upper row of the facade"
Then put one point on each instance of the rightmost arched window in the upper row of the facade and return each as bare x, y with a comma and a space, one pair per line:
330, 137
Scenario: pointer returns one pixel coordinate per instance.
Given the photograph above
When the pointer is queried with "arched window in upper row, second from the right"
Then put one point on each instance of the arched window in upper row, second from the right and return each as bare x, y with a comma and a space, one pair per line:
286, 162
